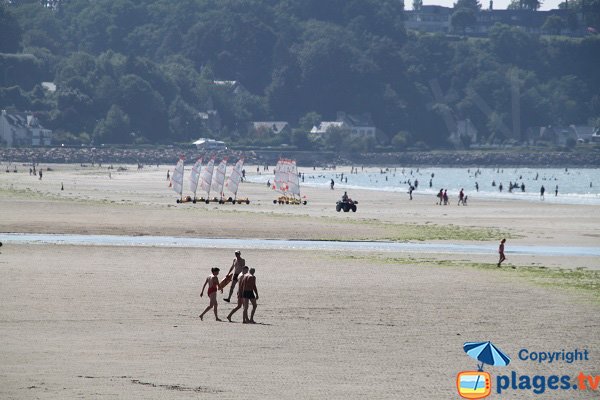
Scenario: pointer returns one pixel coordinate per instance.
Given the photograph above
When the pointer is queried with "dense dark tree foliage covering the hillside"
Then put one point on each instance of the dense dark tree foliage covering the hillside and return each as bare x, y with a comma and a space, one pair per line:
158, 71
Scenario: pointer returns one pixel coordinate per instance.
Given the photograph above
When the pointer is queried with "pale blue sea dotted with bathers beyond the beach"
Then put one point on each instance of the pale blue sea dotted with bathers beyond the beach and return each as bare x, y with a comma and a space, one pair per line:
575, 185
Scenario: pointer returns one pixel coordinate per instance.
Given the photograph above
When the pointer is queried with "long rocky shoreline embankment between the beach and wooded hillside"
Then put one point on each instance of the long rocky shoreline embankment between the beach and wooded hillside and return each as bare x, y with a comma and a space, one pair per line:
170, 154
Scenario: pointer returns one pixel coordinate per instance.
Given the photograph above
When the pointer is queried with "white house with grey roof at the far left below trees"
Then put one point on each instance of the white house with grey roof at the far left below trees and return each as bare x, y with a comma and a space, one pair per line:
22, 129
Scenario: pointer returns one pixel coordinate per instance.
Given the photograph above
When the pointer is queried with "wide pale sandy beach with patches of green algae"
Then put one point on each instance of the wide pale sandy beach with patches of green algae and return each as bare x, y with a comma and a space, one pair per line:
122, 322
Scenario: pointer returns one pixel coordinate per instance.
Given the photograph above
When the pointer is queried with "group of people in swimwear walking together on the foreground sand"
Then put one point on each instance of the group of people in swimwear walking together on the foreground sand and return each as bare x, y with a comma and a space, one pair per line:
241, 276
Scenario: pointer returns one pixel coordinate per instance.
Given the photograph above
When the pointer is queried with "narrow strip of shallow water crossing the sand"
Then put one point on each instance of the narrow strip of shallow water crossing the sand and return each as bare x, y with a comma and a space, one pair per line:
267, 244
